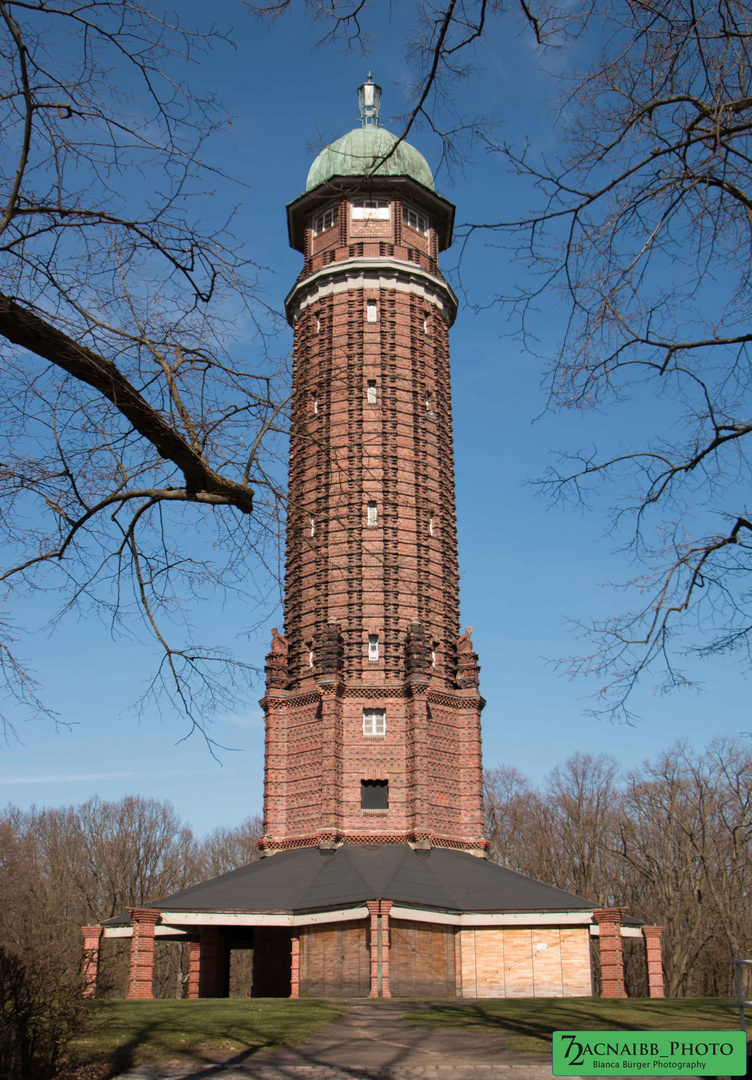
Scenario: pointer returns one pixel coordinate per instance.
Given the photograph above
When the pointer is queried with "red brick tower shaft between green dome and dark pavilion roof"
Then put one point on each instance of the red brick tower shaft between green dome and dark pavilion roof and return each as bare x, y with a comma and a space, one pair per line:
372, 705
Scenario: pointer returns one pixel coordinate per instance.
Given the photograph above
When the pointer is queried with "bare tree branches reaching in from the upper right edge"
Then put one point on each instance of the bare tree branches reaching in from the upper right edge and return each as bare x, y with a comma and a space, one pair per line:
643, 233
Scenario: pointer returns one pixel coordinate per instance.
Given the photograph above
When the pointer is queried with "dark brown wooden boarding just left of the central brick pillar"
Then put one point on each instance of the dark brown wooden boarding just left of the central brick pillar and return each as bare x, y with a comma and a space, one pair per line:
335, 962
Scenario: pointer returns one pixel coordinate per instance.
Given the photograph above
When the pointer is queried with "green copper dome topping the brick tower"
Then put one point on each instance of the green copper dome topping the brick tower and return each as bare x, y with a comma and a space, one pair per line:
358, 153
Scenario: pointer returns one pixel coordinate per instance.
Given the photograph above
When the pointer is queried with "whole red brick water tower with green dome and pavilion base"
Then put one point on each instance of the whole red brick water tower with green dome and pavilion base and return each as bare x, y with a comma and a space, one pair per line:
374, 881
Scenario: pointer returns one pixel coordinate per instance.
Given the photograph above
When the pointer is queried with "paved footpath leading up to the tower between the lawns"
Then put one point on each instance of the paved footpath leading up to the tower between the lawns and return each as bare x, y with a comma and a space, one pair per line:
372, 1043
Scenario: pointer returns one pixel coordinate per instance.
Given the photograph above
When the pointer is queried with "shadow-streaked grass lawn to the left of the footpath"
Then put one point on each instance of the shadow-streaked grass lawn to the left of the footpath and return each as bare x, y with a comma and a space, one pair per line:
124, 1034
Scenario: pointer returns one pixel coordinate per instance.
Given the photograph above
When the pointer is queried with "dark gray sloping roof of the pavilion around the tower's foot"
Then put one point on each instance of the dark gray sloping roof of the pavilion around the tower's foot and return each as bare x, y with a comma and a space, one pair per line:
308, 880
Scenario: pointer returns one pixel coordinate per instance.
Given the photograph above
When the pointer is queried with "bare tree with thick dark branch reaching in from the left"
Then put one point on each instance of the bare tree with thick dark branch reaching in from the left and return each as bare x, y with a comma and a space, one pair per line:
132, 417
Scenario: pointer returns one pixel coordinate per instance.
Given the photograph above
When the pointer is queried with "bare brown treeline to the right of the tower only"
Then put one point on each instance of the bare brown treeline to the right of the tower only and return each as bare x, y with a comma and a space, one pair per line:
669, 843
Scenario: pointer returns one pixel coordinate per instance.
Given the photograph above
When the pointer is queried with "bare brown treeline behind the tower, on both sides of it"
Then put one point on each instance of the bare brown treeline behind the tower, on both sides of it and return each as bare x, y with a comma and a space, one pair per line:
669, 843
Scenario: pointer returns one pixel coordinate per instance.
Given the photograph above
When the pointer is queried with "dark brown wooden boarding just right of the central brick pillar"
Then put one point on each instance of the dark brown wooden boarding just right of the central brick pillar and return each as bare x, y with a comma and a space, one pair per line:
422, 960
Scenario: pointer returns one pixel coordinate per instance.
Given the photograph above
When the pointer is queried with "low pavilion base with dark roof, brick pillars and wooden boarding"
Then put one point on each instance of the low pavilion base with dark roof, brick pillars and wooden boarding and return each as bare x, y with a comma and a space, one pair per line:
385, 921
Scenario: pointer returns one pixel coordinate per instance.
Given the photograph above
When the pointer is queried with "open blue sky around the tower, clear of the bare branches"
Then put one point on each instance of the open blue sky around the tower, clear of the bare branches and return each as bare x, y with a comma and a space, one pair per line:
526, 569
